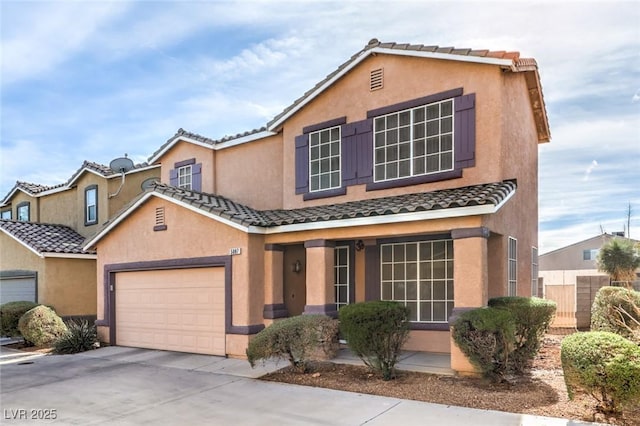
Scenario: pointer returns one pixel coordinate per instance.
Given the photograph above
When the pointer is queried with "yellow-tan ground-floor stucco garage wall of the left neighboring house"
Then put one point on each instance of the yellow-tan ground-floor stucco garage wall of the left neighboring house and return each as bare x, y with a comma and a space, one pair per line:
69, 285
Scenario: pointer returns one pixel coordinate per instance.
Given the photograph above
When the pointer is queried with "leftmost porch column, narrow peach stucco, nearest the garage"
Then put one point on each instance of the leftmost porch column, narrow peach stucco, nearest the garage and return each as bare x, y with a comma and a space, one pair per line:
274, 306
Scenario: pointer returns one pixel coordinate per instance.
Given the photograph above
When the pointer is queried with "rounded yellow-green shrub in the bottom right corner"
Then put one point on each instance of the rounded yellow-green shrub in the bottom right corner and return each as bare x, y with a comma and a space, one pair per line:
603, 365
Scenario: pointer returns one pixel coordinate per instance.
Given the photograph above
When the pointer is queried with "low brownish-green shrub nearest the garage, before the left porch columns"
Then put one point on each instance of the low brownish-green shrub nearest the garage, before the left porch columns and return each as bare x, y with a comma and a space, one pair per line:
296, 339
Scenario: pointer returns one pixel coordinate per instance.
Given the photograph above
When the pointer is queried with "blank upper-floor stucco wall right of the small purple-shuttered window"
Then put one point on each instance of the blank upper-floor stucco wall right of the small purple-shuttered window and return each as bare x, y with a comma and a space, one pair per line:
251, 173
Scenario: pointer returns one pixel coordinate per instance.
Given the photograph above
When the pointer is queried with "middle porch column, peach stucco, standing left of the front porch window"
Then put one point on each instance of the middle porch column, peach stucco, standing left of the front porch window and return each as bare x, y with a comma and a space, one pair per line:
319, 275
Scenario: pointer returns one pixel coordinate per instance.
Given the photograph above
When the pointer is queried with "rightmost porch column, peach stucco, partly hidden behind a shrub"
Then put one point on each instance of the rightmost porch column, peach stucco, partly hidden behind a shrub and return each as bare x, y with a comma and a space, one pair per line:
471, 283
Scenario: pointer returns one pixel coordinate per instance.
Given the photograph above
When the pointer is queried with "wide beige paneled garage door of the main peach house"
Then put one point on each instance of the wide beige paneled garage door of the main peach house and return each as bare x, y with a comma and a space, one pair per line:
177, 309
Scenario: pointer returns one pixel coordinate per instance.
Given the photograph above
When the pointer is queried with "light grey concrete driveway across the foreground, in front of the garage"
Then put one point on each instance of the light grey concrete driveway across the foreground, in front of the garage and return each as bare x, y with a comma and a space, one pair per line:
126, 386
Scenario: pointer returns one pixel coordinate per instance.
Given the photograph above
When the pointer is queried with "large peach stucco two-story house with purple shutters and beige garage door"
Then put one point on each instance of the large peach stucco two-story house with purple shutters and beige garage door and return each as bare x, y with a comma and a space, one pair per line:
408, 174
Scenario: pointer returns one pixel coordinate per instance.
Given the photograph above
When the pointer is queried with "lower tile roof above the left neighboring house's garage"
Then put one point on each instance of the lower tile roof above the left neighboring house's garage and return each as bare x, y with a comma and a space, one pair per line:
45, 238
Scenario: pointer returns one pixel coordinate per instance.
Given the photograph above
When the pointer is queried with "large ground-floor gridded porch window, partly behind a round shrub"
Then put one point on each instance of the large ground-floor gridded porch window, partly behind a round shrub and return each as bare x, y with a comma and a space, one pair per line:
419, 275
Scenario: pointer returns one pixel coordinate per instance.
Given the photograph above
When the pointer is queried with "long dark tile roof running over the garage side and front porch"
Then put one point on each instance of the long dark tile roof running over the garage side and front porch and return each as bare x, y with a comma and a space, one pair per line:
476, 195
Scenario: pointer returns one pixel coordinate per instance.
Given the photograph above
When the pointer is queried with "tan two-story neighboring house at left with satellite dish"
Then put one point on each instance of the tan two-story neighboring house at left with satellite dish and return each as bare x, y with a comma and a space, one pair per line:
43, 229
